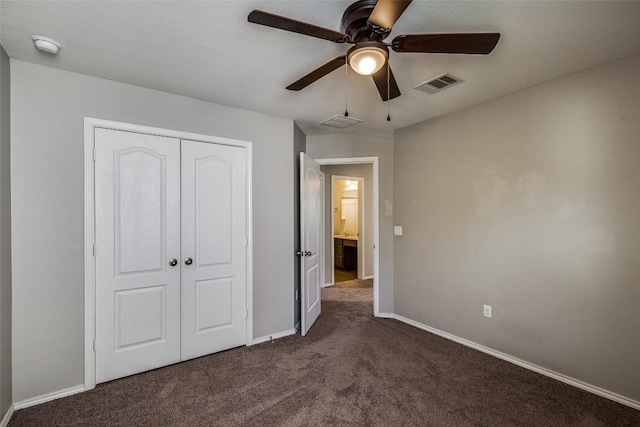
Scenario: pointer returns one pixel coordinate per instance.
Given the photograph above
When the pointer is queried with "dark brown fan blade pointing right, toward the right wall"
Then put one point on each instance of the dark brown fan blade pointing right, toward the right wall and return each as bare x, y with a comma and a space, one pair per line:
472, 43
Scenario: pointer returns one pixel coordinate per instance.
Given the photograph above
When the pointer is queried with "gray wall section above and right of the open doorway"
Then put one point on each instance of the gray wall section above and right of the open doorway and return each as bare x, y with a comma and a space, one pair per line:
361, 145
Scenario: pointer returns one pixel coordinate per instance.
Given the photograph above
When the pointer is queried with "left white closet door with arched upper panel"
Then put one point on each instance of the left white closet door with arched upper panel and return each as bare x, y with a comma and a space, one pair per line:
137, 205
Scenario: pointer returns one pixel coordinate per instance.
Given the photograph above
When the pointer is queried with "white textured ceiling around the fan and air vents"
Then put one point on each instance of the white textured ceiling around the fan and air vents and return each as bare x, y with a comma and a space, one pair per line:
207, 50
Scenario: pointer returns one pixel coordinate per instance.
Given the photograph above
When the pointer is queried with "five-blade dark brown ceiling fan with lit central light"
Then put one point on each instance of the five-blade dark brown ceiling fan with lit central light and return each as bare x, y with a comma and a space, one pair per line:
366, 23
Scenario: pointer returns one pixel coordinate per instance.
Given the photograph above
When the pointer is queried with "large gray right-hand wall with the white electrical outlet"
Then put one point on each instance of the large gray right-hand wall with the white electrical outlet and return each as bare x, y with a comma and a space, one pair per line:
530, 203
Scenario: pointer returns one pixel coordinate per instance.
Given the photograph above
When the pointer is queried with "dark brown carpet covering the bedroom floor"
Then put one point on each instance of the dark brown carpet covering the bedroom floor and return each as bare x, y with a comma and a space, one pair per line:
350, 370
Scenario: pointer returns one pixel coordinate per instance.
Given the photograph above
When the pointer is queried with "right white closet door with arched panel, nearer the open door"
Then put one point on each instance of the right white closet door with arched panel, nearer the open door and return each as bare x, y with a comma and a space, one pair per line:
214, 307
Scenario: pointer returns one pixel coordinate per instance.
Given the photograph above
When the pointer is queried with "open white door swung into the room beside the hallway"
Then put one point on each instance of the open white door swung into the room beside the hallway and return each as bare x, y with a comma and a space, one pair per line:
311, 194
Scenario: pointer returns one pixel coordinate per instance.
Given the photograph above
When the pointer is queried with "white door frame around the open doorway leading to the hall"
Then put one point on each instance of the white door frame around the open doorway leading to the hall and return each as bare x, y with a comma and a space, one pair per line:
374, 161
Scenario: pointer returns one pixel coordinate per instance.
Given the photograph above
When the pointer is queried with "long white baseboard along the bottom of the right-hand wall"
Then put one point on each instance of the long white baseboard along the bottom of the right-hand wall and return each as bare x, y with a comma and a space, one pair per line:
524, 364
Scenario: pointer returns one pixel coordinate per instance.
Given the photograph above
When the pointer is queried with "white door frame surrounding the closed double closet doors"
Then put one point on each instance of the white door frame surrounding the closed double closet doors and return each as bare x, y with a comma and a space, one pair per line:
90, 124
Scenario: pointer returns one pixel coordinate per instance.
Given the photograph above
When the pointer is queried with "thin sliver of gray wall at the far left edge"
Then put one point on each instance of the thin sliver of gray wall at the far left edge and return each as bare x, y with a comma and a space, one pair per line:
5, 239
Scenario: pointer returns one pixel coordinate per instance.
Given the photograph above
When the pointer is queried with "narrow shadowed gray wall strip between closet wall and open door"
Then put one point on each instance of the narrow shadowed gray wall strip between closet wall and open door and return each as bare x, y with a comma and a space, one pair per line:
299, 146
